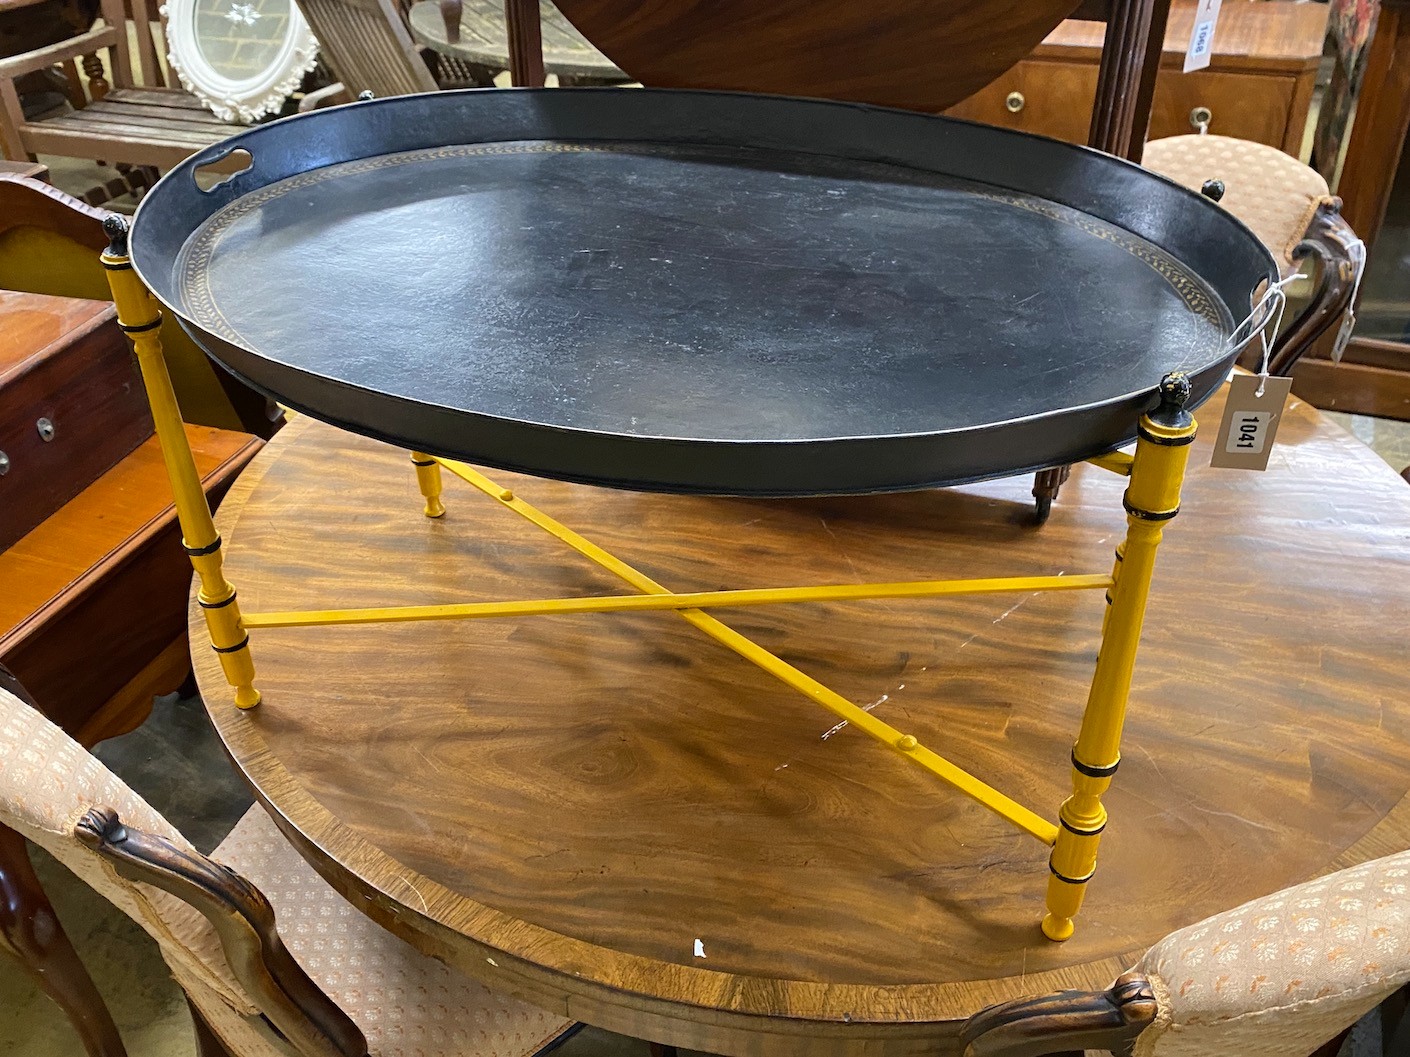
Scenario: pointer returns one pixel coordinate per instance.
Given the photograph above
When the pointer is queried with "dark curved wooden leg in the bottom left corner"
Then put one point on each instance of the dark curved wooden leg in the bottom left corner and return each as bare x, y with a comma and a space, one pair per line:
33, 935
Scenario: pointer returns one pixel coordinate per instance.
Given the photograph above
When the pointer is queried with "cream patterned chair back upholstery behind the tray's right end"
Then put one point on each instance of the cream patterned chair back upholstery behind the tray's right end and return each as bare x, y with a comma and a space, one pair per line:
1270, 191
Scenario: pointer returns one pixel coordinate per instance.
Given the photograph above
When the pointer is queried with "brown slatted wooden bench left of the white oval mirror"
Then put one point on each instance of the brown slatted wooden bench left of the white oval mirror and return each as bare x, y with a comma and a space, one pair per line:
132, 123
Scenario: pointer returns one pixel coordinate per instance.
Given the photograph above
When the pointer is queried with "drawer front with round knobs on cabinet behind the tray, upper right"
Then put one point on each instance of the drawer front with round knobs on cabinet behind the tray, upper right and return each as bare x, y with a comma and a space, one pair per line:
1055, 99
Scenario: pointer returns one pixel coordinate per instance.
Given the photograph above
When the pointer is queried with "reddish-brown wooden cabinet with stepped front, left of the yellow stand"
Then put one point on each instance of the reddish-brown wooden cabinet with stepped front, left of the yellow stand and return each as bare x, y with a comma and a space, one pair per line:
94, 583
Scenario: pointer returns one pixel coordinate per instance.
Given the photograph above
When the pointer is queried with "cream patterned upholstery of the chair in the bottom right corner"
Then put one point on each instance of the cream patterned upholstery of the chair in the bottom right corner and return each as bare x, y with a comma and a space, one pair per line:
1281, 976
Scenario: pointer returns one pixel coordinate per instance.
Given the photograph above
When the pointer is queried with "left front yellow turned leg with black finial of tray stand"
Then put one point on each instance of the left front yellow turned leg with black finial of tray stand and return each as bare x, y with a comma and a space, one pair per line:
140, 318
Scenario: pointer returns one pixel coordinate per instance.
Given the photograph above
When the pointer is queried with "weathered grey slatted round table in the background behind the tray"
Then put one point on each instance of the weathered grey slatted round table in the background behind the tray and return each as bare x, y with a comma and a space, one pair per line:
484, 43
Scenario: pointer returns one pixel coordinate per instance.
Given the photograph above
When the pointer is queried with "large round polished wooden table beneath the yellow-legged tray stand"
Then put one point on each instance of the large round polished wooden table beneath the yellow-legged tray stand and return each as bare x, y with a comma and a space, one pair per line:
615, 818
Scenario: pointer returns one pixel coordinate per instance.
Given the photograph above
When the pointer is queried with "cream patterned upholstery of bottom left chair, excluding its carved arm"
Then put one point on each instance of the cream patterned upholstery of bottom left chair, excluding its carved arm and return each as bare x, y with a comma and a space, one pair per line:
408, 1006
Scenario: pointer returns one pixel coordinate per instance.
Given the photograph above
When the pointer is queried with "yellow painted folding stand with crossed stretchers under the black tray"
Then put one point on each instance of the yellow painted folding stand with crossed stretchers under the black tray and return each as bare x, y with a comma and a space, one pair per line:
1154, 497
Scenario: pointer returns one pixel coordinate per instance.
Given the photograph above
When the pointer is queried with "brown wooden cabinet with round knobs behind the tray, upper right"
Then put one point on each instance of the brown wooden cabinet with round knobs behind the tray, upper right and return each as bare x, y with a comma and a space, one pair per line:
1258, 85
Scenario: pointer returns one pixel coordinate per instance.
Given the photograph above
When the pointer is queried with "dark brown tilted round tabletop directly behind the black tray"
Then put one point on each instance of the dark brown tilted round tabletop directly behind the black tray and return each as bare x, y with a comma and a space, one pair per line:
889, 53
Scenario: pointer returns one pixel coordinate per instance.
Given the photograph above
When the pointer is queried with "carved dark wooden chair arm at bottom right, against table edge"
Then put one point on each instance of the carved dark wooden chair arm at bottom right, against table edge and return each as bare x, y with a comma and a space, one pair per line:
1064, 1022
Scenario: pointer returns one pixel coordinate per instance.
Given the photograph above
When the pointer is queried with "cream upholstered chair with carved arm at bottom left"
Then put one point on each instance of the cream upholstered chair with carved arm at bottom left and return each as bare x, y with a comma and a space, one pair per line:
328, 983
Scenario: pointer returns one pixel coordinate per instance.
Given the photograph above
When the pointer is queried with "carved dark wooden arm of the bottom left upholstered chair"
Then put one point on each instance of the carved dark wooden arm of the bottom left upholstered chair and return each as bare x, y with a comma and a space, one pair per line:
243, 921
